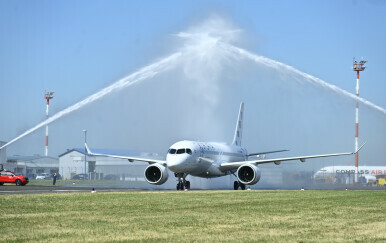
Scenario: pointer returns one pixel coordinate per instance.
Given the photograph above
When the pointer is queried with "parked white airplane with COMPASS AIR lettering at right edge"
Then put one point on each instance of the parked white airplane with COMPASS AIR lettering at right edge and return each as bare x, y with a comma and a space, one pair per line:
370, 173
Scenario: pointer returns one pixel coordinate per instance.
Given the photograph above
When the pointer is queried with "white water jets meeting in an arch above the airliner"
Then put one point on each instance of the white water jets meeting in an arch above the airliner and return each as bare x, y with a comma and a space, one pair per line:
203, 45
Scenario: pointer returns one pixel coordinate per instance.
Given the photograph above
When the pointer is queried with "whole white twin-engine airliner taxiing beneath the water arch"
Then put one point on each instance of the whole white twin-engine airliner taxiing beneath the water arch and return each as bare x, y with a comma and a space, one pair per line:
210, 160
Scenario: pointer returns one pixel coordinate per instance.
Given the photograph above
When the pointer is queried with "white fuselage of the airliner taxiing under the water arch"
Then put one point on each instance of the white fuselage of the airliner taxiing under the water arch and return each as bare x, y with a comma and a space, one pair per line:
205, 159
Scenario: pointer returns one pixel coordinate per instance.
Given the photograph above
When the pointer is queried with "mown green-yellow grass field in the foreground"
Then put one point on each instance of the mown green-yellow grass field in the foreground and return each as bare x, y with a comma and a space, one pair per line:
195, 216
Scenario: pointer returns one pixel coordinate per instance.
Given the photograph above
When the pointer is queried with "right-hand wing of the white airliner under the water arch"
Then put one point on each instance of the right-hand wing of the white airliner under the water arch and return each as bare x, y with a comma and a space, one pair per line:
234, 165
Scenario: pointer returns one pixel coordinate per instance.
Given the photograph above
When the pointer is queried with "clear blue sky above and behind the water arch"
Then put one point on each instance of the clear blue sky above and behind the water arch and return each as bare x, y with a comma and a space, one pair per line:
76, 48
